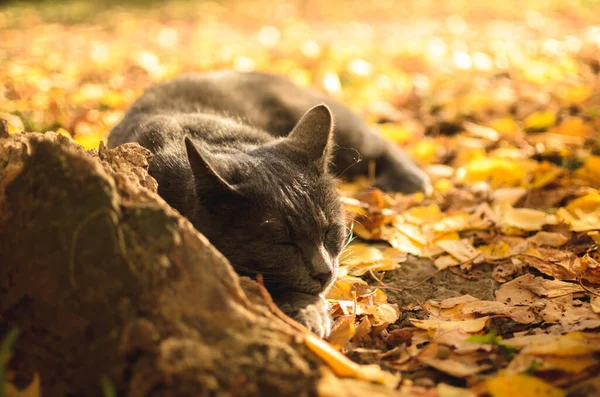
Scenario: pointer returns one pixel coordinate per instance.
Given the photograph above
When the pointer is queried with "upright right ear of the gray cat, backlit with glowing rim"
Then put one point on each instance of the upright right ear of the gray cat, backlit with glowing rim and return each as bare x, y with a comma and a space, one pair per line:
313, 134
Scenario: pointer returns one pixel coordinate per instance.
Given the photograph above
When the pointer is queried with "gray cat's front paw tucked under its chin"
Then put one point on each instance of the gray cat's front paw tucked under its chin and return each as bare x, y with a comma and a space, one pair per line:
312, 311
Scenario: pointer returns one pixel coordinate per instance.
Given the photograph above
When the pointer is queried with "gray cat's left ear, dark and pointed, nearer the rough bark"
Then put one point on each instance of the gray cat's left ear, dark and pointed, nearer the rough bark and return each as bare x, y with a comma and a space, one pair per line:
205, 168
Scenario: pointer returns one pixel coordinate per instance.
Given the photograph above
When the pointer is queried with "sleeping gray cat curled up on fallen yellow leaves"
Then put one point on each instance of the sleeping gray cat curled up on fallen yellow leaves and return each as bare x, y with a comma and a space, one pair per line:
246, 157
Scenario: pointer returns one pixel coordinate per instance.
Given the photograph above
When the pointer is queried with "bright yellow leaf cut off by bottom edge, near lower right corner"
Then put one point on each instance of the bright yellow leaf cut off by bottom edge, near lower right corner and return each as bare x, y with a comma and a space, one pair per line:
521, 386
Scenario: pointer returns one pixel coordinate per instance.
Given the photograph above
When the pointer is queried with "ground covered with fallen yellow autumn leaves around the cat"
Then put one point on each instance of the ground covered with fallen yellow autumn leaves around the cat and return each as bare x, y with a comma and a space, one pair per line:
489, 286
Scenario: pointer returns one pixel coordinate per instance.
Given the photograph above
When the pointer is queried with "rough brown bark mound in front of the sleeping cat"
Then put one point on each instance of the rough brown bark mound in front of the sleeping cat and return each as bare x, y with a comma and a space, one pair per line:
105, 280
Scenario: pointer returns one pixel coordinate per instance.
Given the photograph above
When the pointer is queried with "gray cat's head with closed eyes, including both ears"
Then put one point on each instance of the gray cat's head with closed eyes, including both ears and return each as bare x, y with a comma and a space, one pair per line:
274, 209
